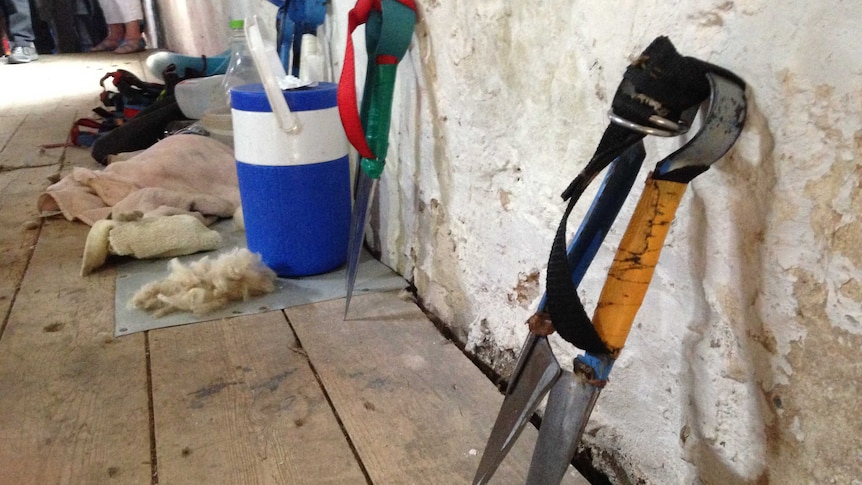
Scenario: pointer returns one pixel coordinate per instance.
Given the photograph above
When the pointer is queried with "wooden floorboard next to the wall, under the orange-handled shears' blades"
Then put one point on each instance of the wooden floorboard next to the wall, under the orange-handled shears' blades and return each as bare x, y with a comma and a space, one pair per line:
417, 410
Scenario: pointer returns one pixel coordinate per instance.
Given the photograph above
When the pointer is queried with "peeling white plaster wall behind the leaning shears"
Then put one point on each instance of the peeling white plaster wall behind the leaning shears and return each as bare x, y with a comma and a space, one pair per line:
743, 366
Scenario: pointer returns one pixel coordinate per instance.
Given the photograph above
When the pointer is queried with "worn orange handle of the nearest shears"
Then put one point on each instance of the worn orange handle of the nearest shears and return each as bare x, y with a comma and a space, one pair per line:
634, 264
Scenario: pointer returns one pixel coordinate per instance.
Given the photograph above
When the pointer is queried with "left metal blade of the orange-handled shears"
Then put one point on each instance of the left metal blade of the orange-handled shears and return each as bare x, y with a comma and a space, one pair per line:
538, 374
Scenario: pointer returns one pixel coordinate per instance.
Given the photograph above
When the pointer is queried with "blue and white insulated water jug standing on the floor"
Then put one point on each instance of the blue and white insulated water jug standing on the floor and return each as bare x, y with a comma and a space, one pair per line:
295, 187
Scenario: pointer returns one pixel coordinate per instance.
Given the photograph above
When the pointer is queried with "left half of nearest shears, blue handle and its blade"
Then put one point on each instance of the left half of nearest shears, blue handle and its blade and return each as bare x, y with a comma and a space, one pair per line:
600, 216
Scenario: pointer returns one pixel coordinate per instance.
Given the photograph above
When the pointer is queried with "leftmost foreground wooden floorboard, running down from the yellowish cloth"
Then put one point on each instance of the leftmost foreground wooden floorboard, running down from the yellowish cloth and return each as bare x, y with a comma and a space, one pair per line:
73, 399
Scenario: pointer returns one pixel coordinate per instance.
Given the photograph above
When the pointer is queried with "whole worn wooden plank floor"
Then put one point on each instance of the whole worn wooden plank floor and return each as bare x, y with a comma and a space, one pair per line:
293, 397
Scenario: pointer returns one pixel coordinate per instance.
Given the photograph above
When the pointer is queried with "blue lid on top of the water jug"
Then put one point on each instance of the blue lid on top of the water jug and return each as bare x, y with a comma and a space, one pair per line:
252, 97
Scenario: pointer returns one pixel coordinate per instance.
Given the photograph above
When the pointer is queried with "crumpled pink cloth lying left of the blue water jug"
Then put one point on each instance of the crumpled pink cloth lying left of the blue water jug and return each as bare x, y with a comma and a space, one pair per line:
181, 174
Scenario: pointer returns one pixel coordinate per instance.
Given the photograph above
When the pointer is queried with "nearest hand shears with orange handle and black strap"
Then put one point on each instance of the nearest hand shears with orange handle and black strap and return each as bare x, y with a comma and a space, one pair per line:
658, 87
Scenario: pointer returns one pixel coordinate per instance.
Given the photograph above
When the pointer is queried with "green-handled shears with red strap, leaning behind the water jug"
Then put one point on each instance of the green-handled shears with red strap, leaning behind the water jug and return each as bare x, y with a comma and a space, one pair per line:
388, 30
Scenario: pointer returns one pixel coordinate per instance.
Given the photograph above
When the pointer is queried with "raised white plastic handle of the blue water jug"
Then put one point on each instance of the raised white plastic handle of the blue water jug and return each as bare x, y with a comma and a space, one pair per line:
271, 71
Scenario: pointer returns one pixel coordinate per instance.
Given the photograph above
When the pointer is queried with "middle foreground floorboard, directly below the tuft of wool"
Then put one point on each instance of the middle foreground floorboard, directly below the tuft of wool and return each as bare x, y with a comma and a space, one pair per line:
236, 402
